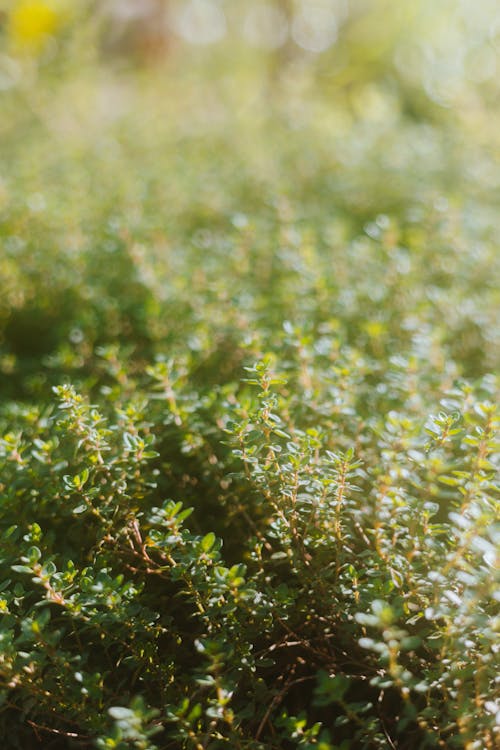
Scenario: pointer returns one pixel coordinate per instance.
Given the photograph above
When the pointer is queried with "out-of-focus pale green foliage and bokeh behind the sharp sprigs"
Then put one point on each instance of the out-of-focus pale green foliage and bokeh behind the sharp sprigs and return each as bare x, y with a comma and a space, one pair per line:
232, 164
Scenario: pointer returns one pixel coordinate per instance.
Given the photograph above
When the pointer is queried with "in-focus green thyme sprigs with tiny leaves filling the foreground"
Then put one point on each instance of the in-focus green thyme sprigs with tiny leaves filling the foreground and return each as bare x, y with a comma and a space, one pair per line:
359, 605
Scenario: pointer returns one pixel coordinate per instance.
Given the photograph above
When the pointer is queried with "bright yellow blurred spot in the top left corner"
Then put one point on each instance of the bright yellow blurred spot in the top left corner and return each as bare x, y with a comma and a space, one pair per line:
32, 23
